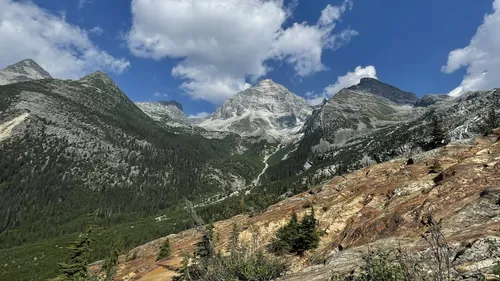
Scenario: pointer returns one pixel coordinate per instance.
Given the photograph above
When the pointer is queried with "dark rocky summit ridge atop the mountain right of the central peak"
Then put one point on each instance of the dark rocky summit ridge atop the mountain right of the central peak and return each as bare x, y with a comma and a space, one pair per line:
379, 88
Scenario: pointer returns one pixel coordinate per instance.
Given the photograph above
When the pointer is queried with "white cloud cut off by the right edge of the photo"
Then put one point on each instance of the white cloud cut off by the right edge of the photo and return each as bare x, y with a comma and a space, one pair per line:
481, 57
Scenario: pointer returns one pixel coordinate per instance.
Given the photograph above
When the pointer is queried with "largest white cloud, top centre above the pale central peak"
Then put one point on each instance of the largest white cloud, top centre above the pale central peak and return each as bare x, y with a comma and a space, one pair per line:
223, 43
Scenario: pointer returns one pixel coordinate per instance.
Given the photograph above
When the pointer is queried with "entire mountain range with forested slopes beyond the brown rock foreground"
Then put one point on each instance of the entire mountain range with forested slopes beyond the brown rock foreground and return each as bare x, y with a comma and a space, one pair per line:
70, 148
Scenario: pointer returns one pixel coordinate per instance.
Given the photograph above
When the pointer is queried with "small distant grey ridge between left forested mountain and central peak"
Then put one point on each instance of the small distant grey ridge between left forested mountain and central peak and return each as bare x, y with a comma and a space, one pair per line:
164, 111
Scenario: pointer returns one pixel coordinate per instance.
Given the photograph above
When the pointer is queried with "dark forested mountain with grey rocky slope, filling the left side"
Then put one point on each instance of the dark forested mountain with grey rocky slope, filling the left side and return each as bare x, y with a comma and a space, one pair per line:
69, 148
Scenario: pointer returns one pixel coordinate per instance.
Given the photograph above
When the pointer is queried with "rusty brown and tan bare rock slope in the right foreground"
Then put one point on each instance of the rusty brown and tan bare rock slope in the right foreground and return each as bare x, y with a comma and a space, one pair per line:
386, 205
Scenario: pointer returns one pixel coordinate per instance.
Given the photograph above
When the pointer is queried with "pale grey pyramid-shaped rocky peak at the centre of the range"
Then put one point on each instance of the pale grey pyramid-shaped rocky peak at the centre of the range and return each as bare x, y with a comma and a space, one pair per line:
266, 108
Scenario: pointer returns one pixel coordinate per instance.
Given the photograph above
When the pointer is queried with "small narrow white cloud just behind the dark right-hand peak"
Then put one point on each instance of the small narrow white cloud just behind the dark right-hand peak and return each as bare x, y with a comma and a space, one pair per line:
345, 81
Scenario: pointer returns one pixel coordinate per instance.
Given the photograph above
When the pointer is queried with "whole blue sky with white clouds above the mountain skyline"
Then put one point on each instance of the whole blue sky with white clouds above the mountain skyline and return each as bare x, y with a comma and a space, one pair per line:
201, 52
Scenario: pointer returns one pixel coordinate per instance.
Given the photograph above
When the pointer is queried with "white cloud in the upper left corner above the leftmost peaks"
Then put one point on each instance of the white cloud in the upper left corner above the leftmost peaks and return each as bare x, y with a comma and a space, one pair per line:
64, 50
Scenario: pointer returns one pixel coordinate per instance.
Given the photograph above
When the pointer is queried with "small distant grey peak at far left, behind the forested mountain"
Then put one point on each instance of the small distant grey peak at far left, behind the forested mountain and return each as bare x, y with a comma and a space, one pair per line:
24, 70
